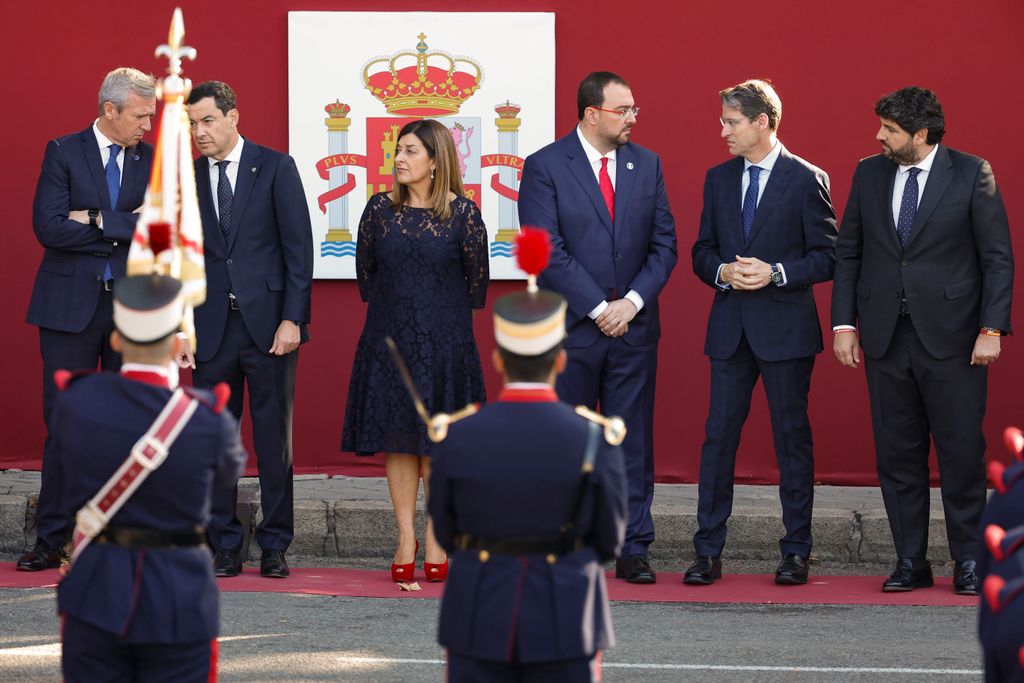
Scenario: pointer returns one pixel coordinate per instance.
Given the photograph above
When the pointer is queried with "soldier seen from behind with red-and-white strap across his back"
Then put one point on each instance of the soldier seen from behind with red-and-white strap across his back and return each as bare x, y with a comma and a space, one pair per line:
141, 603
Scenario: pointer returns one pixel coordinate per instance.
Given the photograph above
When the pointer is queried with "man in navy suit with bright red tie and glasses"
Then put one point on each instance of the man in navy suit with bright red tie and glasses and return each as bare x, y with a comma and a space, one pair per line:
614, 247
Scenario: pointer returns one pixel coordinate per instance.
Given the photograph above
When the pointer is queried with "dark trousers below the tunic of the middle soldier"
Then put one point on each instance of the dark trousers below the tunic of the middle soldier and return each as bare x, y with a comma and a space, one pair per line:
467, 670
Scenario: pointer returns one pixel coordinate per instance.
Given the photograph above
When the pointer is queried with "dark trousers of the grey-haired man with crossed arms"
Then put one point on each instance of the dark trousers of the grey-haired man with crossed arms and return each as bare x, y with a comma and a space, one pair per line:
68, 351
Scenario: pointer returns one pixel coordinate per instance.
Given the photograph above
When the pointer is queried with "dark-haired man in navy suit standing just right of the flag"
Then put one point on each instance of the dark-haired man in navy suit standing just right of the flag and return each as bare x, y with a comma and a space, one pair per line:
259, 246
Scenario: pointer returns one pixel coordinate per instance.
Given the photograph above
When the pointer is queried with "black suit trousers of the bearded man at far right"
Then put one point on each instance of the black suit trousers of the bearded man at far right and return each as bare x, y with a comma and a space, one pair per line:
915, 396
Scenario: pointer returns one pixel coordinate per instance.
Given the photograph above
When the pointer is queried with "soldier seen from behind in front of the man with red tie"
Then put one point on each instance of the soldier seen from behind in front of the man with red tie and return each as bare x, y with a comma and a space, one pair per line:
529, 498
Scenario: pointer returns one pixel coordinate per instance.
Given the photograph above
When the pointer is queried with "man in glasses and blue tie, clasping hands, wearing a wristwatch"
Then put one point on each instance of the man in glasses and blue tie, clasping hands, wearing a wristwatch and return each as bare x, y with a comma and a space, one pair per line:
767, 236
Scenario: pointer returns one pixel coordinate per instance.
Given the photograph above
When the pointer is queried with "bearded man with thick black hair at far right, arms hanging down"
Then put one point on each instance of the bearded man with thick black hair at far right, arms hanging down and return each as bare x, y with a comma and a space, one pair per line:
925, 267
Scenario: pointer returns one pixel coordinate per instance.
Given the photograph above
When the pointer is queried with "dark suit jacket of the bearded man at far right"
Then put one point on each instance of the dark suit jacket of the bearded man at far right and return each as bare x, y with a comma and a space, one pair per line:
957, 271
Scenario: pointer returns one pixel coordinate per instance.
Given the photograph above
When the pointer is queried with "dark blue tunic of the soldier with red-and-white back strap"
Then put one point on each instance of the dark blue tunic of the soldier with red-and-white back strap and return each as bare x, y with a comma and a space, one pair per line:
156, 595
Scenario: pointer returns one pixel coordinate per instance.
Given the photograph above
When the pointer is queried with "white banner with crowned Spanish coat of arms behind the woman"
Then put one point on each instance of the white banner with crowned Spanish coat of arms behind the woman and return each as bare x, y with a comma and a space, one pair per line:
355, 79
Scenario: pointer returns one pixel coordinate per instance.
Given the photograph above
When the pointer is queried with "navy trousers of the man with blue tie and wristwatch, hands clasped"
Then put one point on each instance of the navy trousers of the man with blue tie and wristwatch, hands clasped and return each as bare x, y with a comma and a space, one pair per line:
787, 385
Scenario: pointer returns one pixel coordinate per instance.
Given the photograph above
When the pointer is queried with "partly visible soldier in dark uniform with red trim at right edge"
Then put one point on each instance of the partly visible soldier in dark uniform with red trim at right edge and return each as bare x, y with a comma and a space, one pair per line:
1001, 568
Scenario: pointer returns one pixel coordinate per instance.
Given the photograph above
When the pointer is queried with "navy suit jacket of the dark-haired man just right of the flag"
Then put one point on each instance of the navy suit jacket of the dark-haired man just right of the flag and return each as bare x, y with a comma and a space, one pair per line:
268, 262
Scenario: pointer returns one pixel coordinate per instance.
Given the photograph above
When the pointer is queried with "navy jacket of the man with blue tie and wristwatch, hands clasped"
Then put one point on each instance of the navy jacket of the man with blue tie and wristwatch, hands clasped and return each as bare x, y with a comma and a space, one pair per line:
795, 226
